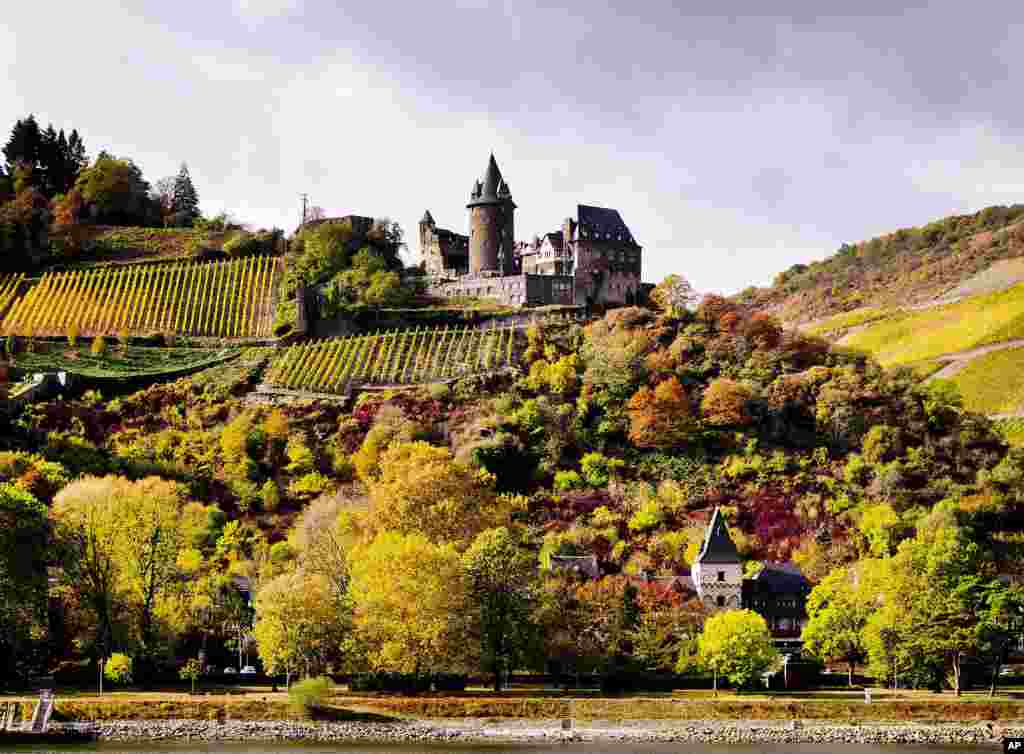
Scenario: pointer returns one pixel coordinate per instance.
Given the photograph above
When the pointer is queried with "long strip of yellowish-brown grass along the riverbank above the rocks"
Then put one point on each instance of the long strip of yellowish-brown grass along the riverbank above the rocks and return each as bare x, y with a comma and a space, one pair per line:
904, 706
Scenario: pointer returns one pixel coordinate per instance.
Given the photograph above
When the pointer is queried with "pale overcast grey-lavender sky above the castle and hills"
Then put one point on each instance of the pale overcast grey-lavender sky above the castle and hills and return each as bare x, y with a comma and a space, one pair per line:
735, 141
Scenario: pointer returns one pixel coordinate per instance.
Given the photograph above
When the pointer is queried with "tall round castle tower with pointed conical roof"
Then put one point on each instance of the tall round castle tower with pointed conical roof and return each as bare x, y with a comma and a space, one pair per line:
492, 235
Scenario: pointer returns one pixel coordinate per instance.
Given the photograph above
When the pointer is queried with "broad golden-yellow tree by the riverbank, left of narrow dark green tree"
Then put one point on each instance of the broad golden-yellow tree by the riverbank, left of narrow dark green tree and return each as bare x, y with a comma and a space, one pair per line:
410, 603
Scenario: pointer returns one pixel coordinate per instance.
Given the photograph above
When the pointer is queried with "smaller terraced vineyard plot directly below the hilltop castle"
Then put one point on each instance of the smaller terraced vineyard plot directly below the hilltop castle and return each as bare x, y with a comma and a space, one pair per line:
408, 357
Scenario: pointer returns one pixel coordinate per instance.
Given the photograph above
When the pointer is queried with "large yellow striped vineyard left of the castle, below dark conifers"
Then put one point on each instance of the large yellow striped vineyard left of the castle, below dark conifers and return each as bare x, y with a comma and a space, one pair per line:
217, 300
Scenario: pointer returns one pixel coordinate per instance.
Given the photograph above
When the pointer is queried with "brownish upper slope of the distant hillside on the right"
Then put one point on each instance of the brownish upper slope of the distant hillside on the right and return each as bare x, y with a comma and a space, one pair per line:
909, 268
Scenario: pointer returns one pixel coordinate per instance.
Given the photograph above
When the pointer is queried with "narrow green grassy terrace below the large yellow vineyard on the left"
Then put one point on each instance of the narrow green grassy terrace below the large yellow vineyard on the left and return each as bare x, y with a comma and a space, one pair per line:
117, 362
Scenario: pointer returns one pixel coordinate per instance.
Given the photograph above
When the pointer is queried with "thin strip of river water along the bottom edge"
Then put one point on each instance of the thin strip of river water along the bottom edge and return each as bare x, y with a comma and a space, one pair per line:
595, 748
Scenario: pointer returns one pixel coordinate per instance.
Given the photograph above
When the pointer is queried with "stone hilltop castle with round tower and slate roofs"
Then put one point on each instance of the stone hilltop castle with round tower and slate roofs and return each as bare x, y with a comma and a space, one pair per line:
593, 260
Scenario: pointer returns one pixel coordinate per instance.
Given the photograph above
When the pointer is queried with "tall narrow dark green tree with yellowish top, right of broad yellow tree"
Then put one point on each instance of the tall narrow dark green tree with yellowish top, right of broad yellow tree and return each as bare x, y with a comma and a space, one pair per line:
500, 579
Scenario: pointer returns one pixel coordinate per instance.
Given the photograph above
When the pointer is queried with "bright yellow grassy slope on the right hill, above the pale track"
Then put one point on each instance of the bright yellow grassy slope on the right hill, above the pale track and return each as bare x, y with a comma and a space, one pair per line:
914, 337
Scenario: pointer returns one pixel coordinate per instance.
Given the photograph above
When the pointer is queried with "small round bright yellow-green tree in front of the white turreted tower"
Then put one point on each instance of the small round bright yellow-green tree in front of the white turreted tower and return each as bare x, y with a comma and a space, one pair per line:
737, 644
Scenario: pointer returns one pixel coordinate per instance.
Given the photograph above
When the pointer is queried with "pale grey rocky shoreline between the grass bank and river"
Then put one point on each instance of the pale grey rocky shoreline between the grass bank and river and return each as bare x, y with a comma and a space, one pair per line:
476, 732
